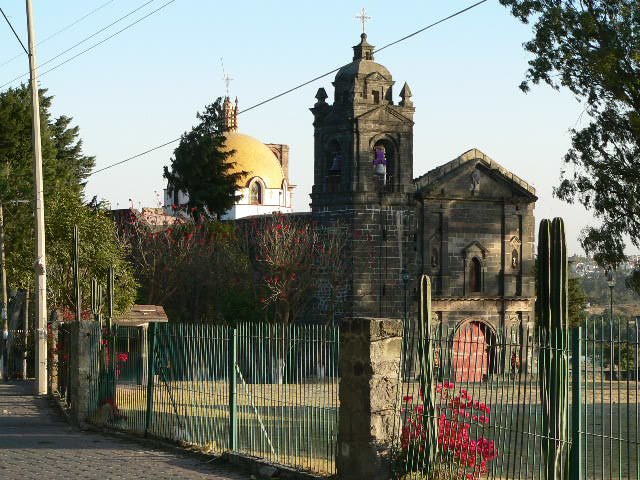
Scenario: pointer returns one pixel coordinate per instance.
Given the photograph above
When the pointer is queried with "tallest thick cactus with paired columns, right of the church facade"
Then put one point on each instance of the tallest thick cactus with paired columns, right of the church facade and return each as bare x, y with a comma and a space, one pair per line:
553, 361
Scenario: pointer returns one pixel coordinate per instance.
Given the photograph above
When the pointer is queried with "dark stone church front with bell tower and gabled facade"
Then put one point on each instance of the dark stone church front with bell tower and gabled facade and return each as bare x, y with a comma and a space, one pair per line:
469, 223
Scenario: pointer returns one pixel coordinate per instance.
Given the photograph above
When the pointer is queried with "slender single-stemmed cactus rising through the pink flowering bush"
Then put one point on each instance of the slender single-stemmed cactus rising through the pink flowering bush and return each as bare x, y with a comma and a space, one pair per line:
427, 375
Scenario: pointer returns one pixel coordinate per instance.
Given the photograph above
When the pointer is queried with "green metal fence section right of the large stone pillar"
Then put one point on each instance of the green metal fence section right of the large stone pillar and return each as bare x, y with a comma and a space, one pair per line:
488, 411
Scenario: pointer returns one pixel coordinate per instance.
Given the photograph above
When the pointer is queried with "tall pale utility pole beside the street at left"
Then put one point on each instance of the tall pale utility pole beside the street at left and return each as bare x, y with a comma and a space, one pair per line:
40, 263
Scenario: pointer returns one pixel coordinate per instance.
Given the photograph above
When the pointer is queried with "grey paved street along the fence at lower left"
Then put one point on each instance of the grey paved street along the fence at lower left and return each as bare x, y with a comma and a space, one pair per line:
37, 443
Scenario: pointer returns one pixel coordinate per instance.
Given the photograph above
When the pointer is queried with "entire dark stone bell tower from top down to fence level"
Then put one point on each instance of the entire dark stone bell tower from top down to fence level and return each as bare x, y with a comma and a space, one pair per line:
363, 178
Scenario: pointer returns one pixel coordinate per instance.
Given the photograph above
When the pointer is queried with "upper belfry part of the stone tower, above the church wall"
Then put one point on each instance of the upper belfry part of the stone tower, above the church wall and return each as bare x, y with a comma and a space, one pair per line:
363, 141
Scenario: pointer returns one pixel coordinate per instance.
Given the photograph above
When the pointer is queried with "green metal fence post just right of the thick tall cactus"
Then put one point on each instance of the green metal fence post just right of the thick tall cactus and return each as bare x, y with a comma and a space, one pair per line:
576, 461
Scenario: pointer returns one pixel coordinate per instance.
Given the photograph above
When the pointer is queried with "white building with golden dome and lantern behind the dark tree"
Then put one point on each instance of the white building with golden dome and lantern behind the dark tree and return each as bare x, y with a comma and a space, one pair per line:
266, 187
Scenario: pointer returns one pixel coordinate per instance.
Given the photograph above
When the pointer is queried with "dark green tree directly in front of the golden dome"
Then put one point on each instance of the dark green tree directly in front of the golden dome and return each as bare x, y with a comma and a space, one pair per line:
201, 167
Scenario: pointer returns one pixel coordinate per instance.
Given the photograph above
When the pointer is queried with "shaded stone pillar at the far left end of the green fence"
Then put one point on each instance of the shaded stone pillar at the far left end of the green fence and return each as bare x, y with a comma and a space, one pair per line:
80, 357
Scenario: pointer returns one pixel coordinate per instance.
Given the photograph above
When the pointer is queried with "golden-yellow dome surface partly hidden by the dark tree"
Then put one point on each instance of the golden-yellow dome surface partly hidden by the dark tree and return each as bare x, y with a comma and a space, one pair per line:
254, 157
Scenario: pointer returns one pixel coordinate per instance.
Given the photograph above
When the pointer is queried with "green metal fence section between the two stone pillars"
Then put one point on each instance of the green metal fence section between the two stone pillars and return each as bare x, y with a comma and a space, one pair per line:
262, 390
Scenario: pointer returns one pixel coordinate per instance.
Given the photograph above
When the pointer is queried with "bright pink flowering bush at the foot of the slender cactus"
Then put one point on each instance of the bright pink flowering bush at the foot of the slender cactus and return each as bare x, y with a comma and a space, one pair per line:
459, 418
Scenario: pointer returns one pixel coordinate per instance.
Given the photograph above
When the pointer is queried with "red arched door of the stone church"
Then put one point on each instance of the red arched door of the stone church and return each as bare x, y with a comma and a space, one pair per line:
473, 352
